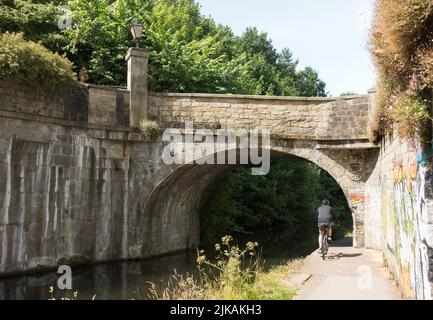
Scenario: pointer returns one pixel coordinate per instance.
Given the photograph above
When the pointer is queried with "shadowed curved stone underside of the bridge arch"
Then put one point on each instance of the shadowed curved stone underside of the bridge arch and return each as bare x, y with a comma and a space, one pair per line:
173, 208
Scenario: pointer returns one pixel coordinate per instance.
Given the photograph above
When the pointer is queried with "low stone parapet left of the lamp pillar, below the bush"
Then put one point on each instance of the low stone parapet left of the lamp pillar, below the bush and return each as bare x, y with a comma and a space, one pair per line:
98, 105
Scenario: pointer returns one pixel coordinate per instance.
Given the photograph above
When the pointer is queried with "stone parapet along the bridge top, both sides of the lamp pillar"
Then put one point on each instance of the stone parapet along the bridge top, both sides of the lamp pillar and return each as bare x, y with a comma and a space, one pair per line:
286, 117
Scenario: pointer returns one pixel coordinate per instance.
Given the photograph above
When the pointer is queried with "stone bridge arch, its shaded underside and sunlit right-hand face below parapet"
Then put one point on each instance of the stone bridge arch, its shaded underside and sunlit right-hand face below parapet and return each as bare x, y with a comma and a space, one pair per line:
174, 204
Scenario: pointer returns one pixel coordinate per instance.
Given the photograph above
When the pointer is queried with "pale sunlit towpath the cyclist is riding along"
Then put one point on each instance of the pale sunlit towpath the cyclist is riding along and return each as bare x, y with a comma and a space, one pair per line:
347, 274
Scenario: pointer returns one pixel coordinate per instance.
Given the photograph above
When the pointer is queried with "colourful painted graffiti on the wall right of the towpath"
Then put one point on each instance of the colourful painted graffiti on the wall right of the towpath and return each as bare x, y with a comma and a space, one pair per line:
403, 212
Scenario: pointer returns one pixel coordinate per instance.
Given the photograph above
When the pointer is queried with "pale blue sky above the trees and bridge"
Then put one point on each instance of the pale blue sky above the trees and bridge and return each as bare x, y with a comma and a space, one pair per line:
329, 35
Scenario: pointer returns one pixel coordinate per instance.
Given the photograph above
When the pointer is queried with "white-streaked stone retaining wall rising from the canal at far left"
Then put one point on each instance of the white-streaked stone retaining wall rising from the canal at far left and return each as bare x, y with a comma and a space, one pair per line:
61, 197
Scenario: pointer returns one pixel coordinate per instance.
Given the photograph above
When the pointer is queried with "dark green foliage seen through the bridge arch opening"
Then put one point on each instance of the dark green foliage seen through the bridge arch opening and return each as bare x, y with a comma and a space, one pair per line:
285, 200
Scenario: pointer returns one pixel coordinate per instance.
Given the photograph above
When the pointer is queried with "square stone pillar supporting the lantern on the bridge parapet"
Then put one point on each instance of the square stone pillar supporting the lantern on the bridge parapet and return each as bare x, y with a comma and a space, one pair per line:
137, 59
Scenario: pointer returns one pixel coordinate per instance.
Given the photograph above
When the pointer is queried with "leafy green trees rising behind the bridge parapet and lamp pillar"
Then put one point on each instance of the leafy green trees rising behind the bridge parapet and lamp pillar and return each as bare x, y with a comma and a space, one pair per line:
189, 52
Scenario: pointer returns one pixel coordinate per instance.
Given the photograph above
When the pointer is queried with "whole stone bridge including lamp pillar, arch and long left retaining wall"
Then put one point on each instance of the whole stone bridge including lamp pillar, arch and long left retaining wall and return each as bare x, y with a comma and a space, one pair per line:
80, 184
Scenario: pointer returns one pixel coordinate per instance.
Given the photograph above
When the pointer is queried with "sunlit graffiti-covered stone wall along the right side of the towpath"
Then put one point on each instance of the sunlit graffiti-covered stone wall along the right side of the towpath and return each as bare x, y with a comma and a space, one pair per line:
402, 179
